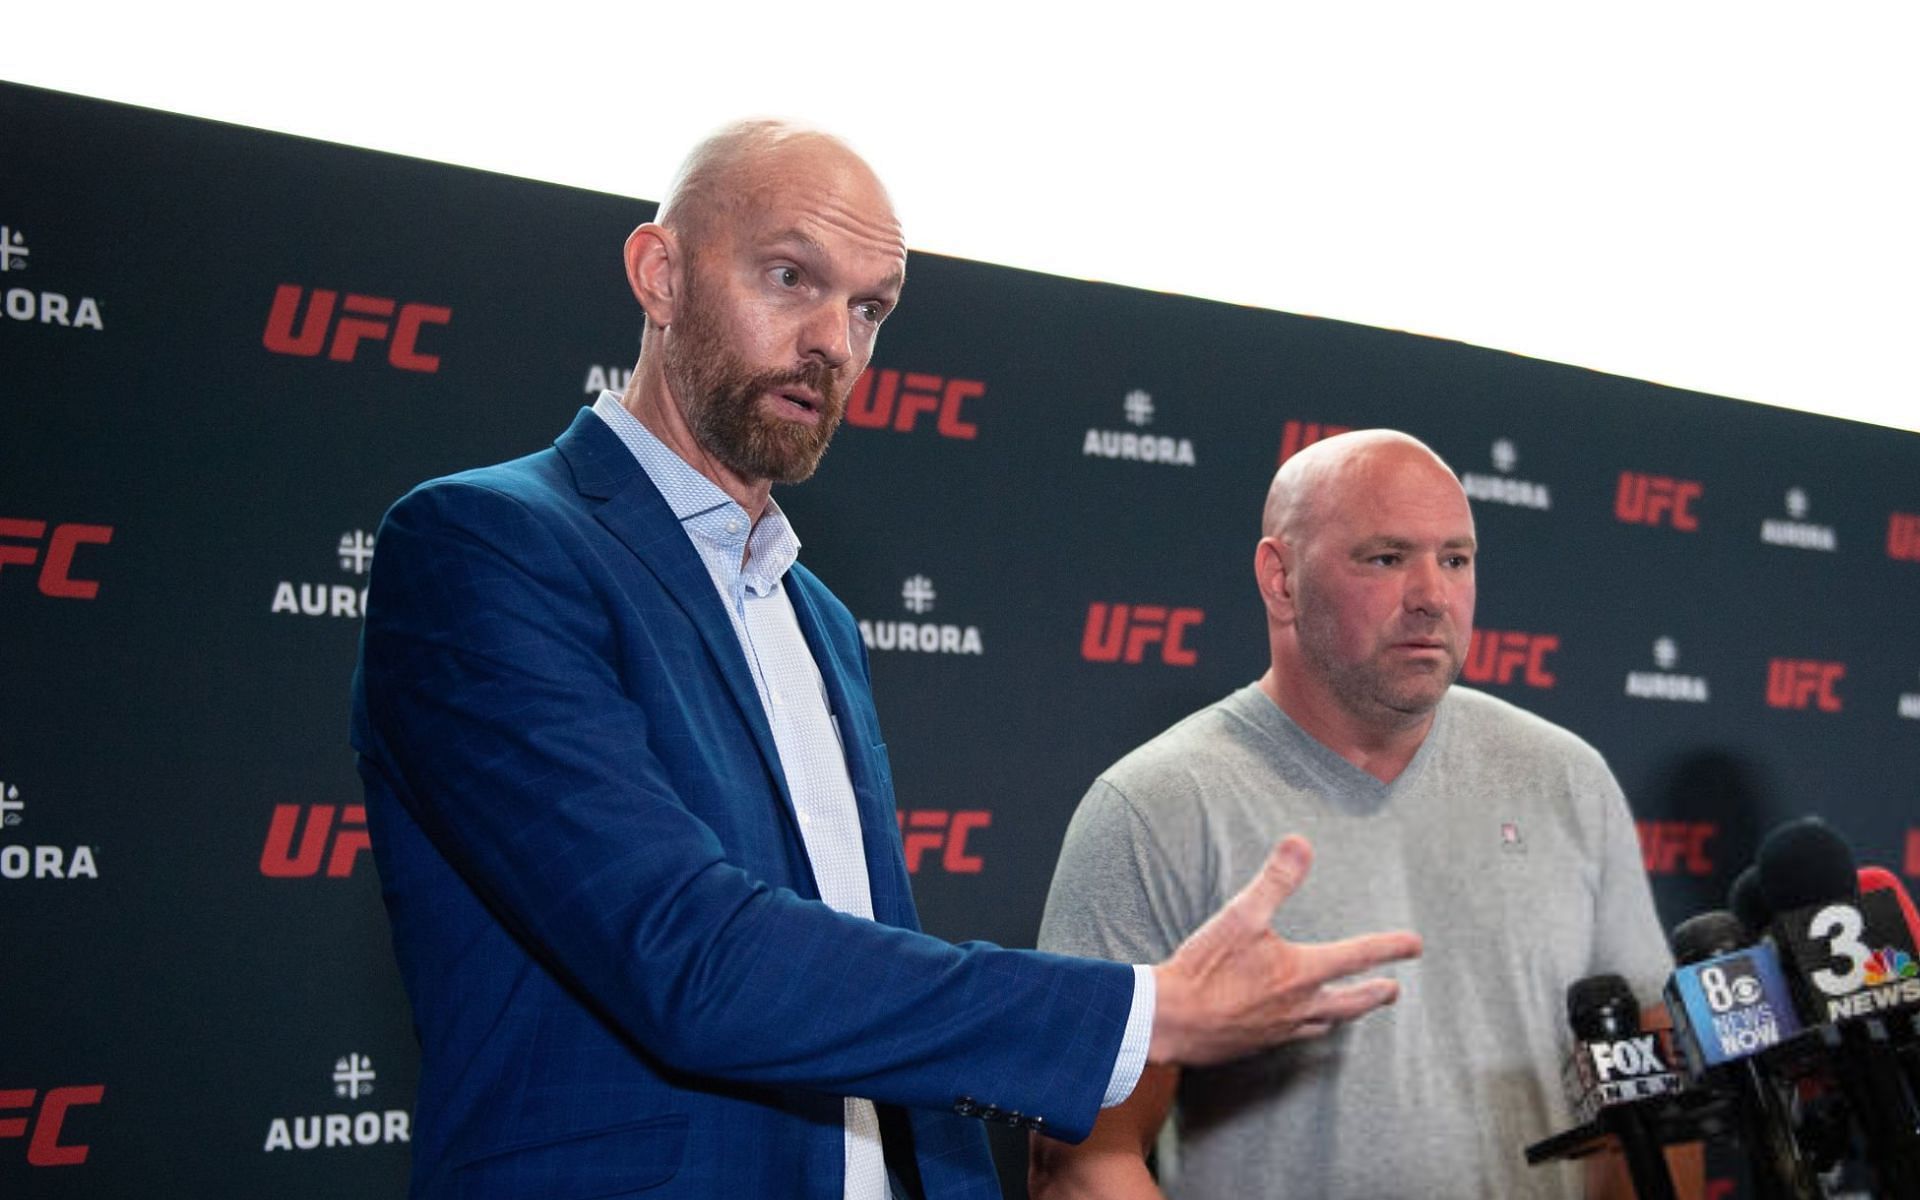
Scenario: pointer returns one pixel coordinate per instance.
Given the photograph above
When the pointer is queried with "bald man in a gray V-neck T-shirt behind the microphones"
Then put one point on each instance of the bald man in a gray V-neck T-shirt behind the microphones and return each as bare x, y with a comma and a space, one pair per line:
1497, 834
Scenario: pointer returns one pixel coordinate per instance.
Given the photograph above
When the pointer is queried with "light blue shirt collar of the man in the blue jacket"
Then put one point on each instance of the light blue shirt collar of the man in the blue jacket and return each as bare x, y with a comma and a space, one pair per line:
709, 516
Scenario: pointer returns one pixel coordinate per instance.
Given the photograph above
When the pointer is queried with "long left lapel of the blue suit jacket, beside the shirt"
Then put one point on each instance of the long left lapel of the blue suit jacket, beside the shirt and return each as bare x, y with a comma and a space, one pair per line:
638, 516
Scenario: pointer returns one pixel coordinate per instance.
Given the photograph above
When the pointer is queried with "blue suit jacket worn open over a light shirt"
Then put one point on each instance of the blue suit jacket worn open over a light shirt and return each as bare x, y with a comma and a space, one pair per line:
621, 974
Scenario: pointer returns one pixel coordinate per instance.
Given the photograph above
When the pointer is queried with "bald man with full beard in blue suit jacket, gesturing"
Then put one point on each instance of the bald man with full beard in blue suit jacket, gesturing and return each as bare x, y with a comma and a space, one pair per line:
631, 802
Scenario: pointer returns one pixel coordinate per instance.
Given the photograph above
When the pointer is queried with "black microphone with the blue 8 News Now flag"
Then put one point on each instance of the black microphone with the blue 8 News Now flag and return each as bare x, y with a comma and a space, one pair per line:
1731, 1003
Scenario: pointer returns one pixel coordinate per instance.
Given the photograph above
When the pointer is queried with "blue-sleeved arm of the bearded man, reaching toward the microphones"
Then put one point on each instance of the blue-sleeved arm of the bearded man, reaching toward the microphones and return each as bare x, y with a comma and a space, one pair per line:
498, 719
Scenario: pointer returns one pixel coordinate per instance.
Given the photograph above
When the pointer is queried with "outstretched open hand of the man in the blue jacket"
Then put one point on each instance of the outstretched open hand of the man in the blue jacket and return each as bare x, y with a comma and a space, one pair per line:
1237, 986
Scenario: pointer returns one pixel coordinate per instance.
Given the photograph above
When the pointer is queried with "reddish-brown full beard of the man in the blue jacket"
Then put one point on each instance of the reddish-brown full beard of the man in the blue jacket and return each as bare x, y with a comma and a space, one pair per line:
721, 400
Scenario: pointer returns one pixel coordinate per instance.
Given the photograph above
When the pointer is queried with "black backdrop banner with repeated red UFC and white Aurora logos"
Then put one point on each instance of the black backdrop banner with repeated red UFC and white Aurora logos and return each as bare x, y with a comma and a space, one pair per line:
226, 352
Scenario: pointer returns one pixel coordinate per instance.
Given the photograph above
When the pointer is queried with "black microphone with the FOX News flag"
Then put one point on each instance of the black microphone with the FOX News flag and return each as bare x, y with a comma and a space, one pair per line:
1614, 1068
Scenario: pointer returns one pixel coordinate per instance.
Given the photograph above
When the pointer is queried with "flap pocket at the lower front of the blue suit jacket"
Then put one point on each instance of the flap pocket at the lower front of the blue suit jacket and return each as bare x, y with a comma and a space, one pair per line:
585, 1166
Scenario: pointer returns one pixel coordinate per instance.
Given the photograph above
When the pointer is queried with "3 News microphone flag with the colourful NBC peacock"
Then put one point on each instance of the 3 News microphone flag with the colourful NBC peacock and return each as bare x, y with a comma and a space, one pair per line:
1865, 953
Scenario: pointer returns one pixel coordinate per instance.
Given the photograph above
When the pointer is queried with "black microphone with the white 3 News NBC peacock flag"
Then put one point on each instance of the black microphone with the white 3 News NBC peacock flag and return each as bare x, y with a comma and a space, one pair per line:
1846, 955
